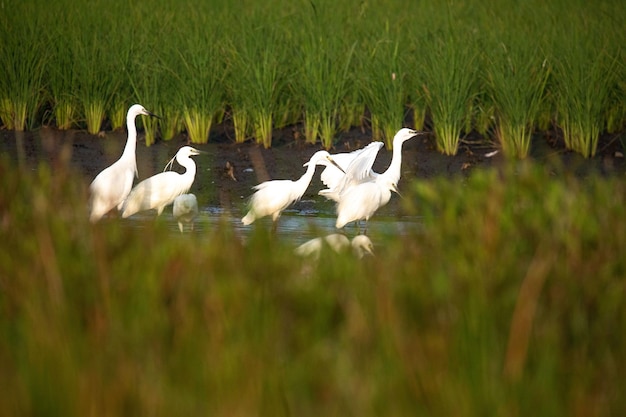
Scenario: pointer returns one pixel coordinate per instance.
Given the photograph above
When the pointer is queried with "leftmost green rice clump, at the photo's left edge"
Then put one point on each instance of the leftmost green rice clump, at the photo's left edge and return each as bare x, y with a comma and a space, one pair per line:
24, 55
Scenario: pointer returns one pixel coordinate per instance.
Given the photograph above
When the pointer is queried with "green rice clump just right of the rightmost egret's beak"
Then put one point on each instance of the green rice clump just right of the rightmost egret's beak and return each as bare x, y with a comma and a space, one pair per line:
449, 71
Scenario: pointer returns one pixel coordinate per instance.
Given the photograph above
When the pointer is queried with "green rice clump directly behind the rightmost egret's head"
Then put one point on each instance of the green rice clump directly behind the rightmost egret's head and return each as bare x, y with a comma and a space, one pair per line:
386, 89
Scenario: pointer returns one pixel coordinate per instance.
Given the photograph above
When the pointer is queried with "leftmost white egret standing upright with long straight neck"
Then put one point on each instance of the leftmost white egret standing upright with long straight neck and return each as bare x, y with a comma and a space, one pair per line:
112, 185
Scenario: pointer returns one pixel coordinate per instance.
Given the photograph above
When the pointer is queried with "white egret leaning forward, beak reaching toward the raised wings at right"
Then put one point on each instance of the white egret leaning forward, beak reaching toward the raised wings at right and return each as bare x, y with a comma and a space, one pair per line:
272, 197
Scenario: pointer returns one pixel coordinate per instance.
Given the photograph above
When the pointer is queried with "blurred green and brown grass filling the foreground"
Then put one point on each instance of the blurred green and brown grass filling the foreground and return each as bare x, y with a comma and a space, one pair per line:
509, 301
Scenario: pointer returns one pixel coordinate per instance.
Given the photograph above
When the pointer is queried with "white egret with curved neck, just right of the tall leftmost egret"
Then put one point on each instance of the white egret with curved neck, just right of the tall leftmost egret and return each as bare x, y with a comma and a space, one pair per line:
161, 189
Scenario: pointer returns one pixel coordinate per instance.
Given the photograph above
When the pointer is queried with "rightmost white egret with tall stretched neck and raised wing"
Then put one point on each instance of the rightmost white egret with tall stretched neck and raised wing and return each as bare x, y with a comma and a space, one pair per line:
362, 191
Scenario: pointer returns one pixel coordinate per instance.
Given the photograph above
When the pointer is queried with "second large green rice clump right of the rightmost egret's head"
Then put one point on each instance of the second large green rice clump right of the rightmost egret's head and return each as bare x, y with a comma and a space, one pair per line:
516, 78
